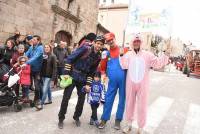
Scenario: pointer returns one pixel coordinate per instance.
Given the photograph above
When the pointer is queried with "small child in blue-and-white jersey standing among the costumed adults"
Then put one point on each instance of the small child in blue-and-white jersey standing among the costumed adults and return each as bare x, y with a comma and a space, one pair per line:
95, 96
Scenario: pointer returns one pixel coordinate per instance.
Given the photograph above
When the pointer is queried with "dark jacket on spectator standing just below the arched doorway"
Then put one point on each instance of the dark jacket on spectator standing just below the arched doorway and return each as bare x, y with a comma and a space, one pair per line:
61, 54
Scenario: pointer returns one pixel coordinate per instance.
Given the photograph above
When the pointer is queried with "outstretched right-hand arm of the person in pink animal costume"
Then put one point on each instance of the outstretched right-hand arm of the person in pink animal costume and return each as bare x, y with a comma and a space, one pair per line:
158, 62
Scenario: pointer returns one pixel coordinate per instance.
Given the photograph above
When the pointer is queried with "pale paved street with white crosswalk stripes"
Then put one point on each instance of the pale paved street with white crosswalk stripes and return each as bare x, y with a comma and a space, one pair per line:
174, 108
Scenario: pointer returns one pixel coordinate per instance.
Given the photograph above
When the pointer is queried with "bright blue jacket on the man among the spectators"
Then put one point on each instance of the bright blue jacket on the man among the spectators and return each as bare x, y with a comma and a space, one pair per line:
35, 55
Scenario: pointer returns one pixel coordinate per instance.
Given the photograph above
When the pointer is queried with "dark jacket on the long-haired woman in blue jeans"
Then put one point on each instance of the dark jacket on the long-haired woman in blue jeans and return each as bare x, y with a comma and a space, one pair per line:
49, 66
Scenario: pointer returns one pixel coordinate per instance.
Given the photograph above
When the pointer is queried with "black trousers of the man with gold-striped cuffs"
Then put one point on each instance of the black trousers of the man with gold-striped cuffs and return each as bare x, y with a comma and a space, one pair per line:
67, 95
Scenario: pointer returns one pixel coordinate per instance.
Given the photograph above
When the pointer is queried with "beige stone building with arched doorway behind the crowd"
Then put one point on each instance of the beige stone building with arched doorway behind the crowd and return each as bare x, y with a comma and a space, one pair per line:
66, 20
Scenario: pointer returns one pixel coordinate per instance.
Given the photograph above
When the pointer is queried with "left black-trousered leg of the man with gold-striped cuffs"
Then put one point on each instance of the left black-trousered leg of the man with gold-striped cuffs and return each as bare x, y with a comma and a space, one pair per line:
65, 100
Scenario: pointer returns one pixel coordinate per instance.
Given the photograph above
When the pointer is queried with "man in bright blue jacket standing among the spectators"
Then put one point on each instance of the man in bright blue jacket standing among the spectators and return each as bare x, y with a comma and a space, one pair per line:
35, 55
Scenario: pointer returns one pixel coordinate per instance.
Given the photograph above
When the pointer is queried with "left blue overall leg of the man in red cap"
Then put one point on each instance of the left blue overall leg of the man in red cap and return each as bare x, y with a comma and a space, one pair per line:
109, 99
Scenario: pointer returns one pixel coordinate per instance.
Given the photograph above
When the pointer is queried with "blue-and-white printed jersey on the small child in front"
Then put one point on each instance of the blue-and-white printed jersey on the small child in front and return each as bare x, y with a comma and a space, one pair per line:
96, 94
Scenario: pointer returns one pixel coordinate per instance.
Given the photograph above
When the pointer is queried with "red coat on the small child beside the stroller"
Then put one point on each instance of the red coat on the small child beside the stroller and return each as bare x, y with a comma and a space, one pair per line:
25, 75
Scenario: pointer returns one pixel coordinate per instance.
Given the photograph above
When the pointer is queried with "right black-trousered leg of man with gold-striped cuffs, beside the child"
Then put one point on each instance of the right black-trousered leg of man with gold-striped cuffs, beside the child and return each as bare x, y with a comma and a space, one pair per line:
80, 103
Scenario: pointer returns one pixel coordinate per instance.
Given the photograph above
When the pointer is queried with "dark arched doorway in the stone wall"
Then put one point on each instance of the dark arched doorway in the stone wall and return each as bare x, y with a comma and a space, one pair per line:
63, 36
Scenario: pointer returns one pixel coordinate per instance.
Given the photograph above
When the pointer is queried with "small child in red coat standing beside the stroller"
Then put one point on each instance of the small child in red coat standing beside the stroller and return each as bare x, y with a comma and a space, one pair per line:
25, 80
